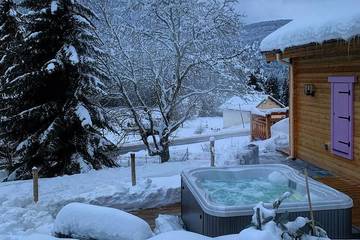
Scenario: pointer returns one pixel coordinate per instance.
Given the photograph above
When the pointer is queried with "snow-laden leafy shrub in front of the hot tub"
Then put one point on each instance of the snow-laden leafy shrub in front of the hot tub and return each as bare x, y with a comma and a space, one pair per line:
267, 225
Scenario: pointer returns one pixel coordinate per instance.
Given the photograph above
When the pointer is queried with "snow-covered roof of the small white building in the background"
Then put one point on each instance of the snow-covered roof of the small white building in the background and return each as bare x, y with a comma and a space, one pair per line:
244, 103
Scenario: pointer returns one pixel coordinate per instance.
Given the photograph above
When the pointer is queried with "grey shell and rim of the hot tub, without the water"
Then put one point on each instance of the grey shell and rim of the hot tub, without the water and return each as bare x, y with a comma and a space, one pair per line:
200, 216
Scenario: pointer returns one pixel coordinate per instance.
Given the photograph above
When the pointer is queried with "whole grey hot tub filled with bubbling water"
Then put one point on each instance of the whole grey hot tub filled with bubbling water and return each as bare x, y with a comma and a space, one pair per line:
220, 201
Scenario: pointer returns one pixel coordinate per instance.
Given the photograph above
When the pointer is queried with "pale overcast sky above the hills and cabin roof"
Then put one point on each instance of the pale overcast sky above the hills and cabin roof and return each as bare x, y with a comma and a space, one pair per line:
263, 10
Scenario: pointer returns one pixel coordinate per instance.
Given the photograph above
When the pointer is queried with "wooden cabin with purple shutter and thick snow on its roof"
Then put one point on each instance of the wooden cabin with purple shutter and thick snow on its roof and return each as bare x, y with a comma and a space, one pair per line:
324, 65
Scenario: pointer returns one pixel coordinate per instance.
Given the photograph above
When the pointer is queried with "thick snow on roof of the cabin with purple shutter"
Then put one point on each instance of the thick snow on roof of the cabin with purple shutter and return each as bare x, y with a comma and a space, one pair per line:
336, 20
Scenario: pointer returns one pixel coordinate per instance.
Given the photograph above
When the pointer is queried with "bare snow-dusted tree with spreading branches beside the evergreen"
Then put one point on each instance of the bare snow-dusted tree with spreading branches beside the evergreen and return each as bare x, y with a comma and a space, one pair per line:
160, 56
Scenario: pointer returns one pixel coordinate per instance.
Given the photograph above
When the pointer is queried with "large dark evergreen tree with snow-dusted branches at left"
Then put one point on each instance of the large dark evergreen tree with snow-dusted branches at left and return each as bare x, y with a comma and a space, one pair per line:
55, 121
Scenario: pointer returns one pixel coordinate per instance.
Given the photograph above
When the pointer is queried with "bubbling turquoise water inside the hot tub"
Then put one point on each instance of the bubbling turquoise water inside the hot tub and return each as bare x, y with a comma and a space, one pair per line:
235, 190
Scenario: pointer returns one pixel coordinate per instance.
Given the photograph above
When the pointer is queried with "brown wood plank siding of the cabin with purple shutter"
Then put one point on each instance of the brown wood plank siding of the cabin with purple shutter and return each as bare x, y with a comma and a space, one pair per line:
312, 115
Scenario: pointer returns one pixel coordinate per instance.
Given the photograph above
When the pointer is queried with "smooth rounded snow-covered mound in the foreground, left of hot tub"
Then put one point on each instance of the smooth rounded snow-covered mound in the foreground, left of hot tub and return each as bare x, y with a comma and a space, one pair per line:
83, 221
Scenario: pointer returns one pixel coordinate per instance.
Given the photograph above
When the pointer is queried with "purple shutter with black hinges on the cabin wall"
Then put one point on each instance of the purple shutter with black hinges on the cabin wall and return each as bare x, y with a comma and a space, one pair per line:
342, 116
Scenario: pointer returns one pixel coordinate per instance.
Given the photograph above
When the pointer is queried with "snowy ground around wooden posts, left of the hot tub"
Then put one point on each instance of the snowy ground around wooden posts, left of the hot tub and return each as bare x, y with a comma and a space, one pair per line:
158, 185
